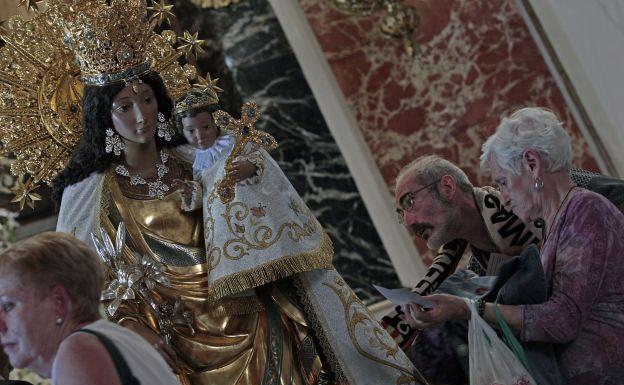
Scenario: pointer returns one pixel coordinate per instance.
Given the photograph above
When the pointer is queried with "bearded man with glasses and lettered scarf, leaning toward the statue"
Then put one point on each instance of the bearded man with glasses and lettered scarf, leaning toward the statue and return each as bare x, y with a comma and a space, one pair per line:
436, 202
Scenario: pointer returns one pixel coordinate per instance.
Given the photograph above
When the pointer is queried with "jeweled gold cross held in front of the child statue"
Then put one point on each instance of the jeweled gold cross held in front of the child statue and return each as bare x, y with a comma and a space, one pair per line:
244, 130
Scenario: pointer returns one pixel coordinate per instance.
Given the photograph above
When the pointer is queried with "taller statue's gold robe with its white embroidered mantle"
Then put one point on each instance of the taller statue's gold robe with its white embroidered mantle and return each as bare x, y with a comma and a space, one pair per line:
234, 341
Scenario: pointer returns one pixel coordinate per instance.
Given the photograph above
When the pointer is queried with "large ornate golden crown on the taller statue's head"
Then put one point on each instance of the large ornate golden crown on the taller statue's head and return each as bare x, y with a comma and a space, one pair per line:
108, 38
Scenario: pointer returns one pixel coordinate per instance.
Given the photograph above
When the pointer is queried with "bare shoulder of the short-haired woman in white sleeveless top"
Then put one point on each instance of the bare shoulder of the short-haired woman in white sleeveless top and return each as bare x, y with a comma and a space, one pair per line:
81, 359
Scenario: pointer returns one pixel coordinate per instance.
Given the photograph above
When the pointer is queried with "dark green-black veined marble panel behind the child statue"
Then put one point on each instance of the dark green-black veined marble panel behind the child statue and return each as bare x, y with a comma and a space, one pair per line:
248, 46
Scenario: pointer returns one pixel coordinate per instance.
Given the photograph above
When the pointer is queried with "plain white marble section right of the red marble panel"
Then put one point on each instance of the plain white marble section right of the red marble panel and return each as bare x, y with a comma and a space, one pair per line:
583, 43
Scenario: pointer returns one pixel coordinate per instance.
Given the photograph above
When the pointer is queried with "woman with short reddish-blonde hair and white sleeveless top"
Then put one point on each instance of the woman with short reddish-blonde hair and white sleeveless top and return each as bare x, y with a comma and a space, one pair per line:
49, 320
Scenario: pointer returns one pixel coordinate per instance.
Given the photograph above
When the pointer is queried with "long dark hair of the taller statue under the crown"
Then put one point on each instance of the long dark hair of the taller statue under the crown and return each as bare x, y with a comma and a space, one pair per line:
89, 155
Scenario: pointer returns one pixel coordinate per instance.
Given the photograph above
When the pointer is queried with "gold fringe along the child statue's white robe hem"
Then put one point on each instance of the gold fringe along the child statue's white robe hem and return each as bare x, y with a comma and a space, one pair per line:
286, 266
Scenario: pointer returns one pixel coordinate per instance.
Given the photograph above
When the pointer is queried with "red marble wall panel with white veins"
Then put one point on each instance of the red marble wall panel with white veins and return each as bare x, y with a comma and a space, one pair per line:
477, 63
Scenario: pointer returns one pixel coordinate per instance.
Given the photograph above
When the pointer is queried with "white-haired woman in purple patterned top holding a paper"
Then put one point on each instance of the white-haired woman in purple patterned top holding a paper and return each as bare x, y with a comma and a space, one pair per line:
582, 252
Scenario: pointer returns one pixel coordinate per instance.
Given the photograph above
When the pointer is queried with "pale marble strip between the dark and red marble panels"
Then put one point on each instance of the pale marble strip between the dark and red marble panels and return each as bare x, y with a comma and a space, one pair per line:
348, 136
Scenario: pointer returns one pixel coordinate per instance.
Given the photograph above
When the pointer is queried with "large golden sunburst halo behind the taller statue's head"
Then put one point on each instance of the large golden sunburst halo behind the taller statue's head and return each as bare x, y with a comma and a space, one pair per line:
41, 97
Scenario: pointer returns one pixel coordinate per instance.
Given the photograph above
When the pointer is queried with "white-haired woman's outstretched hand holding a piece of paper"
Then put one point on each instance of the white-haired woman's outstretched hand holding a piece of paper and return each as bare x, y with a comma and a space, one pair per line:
446, 307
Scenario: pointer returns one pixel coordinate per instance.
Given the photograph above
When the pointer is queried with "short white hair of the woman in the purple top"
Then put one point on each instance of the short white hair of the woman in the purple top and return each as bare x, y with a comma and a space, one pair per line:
532, 128
